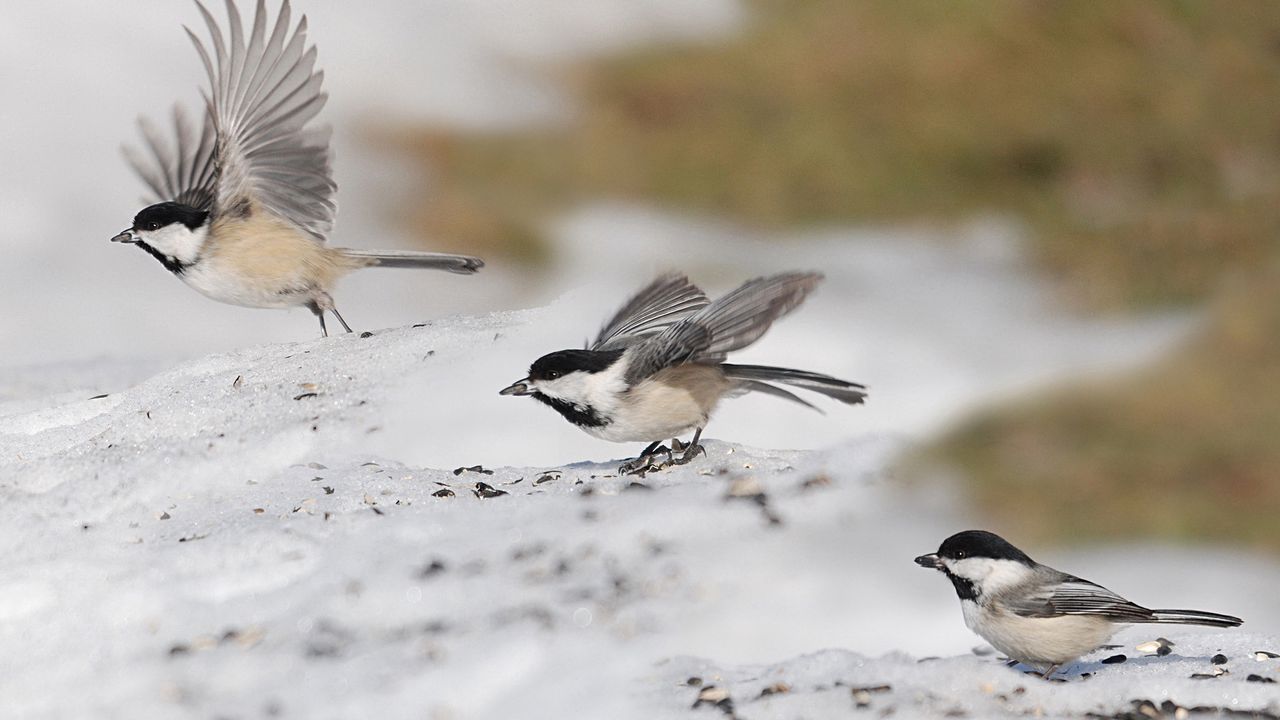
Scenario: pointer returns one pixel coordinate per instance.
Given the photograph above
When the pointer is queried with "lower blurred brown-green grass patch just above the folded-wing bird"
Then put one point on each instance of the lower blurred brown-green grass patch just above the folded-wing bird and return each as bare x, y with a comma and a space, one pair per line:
1187, 450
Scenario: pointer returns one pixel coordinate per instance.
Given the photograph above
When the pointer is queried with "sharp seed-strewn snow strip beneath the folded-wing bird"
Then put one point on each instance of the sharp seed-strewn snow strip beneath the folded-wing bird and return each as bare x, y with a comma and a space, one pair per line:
834, 683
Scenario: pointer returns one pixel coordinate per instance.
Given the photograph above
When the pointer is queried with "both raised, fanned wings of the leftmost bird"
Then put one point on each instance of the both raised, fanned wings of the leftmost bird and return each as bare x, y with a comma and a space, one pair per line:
254, 145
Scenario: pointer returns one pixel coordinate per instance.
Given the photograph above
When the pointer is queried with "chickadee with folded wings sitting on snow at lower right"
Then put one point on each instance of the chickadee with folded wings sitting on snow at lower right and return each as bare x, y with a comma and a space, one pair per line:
1035, 614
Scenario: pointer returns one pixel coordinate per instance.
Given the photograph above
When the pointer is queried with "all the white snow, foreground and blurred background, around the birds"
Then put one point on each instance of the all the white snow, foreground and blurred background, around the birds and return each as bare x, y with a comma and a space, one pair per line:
193, 546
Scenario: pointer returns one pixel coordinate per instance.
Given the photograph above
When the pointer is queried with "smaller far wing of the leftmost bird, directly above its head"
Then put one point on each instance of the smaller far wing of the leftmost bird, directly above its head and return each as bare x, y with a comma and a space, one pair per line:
181, 171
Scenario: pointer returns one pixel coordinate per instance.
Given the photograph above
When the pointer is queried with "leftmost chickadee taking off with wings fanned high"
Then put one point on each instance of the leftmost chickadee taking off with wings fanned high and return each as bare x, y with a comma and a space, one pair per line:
248, 200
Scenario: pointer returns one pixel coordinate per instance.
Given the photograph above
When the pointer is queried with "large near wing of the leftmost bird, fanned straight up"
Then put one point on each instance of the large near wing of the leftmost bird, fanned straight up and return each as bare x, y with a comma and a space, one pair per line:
264, 92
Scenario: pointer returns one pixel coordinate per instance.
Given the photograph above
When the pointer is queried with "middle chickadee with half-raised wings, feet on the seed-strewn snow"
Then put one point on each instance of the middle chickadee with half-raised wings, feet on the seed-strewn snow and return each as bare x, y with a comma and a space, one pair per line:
659, 370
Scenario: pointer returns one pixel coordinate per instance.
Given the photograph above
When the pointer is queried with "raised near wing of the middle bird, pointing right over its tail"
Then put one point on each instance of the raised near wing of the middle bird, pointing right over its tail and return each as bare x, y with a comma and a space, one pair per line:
728, 325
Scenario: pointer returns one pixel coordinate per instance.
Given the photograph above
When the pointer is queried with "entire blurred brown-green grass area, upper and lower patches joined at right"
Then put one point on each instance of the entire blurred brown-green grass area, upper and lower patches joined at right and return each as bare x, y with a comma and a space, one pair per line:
1140, 142
